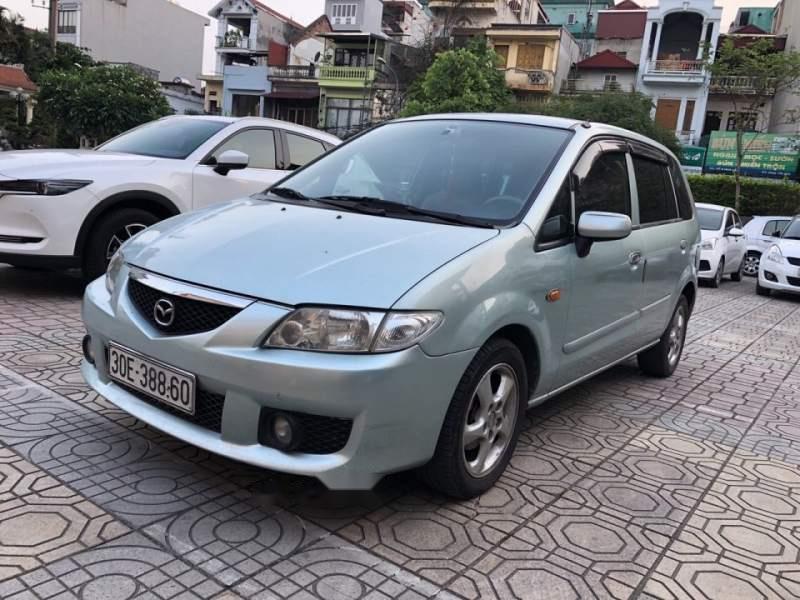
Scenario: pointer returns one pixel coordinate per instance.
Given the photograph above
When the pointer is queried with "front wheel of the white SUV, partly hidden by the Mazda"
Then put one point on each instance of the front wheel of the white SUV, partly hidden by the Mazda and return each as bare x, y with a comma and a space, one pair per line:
108, 234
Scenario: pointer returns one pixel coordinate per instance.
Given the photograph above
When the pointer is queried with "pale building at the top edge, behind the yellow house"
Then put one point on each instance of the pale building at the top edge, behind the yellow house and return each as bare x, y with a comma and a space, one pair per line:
460, 20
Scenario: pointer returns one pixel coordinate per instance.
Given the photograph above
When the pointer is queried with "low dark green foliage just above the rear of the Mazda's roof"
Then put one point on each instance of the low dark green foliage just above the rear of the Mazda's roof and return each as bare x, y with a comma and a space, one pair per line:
628, 110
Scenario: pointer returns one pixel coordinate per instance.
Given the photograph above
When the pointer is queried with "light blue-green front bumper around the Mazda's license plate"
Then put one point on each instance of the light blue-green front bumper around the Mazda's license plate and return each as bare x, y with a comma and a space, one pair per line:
396, 401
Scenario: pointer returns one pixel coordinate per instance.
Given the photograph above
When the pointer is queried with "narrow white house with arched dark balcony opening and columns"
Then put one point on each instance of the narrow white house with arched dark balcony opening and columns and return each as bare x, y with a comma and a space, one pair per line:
678, 37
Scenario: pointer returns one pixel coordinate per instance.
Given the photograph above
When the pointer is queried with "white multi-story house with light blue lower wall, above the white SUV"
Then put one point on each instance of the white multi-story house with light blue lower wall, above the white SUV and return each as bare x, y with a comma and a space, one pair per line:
251, 37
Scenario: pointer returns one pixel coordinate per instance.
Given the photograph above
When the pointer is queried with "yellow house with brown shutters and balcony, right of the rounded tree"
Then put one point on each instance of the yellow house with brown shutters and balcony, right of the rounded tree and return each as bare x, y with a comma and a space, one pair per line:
536, 58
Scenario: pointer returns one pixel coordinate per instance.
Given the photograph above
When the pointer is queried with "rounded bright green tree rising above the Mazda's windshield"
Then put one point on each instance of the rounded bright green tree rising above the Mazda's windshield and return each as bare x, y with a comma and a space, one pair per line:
463, 80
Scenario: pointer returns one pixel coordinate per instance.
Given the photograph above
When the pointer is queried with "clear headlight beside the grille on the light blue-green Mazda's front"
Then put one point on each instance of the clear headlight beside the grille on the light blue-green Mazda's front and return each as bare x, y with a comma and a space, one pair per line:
356, 331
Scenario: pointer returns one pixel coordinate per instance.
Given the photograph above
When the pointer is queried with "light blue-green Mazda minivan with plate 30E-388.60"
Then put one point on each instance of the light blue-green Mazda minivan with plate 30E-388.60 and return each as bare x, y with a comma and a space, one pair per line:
401, 301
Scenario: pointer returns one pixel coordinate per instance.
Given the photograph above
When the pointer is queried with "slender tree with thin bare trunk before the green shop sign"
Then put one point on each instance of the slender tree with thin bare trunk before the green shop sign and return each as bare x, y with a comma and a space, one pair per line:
750, 76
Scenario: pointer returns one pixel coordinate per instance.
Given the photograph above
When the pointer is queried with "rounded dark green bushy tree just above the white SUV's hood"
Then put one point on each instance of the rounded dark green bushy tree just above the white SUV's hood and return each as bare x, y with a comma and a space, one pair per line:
99, 102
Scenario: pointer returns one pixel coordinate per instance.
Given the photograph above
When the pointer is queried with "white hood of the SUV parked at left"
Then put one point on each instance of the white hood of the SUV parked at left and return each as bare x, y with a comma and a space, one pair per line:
38, 164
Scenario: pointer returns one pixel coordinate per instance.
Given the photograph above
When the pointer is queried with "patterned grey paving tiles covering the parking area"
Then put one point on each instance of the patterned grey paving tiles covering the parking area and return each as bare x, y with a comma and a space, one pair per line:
623, 487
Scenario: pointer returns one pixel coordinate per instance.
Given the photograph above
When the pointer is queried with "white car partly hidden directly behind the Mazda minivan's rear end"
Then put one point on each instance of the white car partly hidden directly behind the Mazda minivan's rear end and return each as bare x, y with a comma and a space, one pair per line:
722, 249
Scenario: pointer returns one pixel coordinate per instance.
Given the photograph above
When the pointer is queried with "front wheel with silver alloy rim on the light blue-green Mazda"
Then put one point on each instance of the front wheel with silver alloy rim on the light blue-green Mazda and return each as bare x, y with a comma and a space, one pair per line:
482, 424
